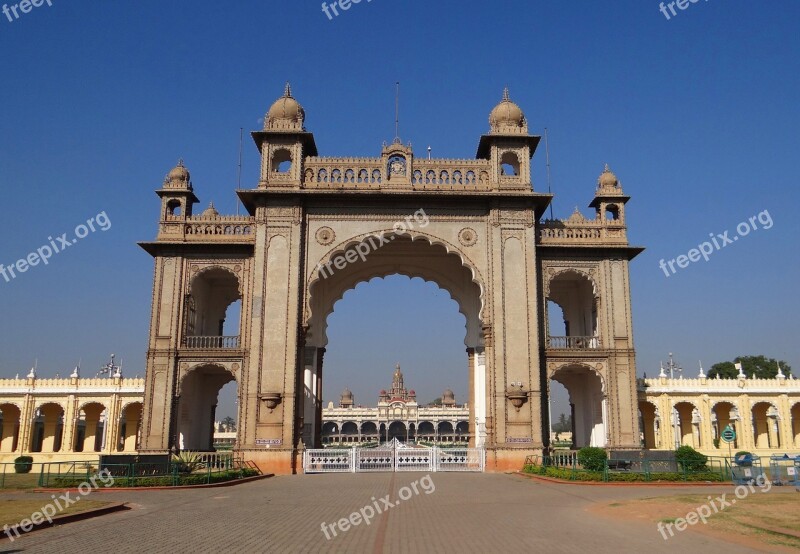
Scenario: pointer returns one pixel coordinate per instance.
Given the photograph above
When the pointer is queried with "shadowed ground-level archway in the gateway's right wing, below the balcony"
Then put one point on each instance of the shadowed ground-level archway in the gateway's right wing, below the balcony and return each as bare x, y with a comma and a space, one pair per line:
587, 404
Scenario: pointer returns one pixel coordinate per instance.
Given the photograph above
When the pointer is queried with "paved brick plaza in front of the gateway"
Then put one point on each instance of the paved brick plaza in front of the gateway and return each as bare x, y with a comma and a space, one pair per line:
465, 513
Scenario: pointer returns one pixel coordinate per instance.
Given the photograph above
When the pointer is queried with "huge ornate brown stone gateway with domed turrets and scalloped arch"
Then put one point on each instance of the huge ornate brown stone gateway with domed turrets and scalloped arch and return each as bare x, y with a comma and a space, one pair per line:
316, 227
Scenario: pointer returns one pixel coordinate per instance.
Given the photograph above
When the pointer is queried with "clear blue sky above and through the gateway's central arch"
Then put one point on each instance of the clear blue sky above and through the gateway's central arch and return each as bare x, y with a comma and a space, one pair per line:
698, 116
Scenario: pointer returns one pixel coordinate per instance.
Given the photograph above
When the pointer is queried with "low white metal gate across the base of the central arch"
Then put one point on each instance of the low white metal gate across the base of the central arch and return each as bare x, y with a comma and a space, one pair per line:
393, 456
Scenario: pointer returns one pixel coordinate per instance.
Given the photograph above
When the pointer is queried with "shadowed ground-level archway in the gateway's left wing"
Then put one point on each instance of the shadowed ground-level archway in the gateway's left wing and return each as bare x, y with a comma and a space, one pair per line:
197, 406
